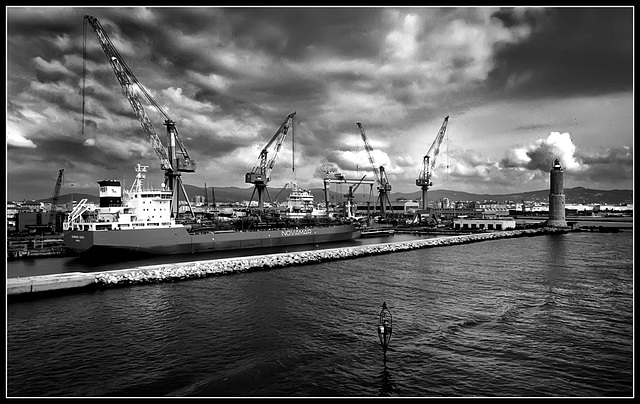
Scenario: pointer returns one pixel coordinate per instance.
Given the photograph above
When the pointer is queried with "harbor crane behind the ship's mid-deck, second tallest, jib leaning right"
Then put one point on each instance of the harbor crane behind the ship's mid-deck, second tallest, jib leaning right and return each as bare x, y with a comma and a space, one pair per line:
261, 174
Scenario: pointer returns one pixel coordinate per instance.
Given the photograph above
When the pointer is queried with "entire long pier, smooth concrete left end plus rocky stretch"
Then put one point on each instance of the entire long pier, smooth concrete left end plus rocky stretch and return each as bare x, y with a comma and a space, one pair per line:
36, 285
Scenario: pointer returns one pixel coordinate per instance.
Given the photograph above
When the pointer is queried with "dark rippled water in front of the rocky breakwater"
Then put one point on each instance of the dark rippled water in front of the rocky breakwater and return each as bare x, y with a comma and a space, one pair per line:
543, 316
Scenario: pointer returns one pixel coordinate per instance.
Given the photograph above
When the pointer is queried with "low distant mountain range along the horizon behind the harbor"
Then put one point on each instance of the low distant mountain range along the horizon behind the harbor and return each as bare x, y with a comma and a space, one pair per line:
235, 194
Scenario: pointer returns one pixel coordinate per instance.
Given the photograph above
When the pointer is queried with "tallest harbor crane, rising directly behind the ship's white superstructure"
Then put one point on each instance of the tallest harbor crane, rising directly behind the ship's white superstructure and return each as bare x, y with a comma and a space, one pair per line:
174, 159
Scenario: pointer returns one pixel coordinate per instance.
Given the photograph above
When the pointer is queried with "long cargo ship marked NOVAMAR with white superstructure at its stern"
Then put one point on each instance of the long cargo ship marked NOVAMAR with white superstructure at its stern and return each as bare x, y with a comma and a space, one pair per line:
139, 221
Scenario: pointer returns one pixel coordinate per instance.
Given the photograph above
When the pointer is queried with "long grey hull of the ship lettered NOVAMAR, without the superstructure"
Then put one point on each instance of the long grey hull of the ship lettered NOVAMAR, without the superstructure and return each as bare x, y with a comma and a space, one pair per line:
176, 240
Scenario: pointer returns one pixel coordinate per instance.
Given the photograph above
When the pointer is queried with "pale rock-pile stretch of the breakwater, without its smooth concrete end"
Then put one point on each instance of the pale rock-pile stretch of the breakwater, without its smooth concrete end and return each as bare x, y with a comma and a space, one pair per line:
199, 269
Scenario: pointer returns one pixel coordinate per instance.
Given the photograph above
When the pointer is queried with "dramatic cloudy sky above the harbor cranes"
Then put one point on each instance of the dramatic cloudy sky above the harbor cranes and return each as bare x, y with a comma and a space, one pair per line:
522, 86
